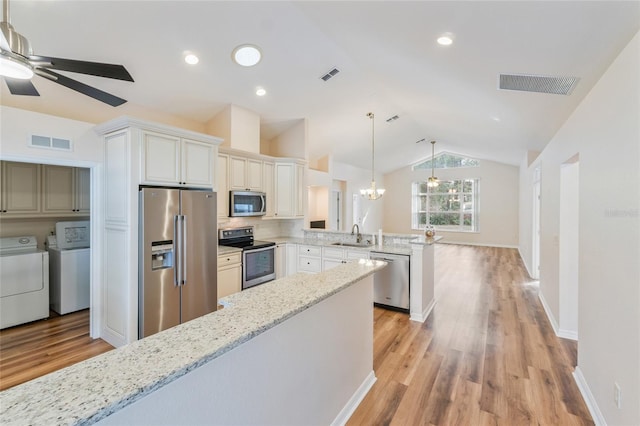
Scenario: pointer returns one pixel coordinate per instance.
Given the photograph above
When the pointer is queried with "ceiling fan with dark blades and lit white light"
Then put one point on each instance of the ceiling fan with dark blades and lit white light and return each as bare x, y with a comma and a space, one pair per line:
18, 65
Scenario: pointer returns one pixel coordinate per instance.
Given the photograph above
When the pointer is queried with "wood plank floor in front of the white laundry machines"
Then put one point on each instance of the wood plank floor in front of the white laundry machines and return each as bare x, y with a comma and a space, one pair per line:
35, 349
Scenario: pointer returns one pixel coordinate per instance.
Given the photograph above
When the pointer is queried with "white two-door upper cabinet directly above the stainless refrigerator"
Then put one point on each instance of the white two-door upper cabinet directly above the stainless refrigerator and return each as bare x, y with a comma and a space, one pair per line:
175, 161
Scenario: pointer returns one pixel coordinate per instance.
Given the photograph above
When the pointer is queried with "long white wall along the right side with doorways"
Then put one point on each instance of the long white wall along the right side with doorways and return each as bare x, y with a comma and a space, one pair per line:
605, 131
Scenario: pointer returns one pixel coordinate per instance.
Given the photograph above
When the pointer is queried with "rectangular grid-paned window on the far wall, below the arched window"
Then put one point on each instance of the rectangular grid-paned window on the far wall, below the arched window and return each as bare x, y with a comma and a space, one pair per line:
451, 206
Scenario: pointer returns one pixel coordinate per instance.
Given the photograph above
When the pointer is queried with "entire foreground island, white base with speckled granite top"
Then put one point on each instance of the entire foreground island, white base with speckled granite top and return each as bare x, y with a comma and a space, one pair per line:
296, 350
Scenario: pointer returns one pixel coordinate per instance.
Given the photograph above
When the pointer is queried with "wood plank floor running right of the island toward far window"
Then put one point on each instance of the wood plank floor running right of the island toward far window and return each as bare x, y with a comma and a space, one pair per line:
486, 355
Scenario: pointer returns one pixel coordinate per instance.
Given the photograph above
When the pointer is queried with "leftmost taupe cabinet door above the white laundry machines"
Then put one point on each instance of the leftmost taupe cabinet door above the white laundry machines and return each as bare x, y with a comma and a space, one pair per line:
20, 188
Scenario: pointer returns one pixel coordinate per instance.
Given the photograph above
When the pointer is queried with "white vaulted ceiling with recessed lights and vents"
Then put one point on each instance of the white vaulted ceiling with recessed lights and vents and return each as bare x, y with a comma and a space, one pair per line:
386, 52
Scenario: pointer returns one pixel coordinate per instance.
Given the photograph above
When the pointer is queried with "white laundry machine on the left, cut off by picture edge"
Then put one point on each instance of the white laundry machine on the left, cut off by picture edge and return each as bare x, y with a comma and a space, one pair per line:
24, 281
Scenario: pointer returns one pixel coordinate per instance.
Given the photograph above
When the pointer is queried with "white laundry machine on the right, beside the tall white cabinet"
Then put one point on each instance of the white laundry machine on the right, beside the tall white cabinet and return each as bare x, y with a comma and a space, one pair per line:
69, 267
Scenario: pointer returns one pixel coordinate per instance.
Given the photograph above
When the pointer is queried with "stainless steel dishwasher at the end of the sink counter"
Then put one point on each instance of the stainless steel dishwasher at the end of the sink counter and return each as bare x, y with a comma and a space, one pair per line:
391, 284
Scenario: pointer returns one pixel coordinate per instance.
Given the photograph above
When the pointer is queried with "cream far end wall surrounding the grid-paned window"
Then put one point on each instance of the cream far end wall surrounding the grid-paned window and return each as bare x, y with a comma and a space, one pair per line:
498, 202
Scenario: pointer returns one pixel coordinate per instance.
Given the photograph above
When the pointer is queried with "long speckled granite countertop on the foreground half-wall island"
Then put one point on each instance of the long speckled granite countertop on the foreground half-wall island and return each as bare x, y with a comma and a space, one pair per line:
91, 390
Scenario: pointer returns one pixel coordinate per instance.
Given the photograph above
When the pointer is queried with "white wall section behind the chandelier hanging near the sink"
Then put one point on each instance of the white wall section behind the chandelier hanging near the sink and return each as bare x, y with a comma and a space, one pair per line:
371, 212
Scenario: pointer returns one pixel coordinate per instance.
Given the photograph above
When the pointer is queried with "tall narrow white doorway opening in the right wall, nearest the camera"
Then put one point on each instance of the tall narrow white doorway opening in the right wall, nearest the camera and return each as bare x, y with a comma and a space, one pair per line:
569, 249
